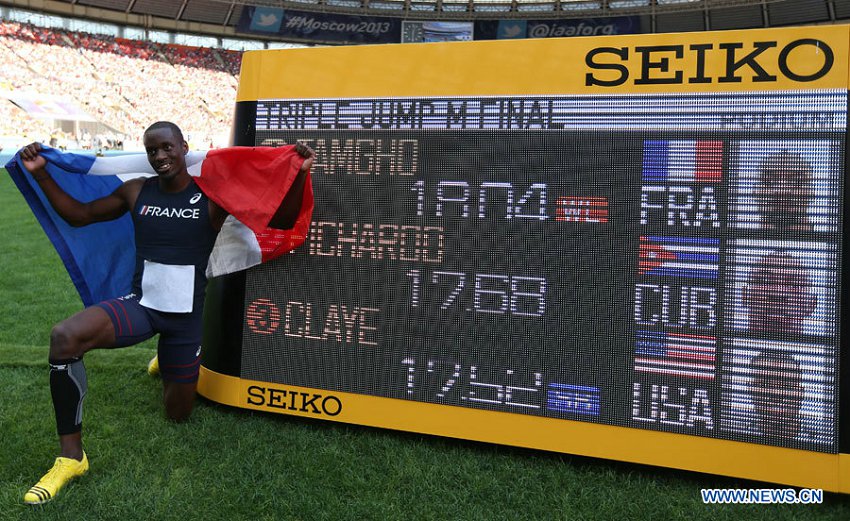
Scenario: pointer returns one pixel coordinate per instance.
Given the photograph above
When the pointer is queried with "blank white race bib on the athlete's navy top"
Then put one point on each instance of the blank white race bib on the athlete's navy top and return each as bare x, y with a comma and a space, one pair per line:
168, 287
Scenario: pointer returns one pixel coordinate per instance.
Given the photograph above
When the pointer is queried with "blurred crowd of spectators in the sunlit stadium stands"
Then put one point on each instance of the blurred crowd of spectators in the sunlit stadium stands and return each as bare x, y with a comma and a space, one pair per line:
123, 84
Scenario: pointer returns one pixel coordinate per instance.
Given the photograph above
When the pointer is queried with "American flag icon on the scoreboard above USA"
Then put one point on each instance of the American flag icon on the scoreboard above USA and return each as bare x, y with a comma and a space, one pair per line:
674, 354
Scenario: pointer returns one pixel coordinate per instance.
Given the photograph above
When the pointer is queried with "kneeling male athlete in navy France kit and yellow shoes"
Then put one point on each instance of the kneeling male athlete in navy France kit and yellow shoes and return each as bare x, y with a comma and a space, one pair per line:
169, 283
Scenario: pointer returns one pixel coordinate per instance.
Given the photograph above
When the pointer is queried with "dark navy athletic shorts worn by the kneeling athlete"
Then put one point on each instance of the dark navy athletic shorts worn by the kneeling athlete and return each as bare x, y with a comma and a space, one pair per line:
179, 348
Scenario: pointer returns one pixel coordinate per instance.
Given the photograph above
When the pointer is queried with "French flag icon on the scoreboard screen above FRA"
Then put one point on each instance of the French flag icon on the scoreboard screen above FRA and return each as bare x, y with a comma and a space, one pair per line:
682, 161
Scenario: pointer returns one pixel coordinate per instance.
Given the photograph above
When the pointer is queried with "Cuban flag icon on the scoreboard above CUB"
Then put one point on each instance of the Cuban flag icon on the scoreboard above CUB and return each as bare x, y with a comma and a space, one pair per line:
690, 257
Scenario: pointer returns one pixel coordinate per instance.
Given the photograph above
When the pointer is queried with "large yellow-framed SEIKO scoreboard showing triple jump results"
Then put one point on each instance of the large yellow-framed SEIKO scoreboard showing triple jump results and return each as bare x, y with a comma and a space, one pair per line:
627, 248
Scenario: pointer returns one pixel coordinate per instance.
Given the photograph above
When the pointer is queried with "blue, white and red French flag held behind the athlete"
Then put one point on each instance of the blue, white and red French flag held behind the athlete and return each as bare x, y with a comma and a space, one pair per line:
249, 182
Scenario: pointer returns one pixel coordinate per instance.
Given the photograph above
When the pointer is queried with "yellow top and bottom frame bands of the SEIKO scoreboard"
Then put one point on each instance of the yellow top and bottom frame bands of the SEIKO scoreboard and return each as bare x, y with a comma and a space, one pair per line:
738, 61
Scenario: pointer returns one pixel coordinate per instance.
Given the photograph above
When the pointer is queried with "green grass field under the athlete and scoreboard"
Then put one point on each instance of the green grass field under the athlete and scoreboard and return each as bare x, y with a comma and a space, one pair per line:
232, 464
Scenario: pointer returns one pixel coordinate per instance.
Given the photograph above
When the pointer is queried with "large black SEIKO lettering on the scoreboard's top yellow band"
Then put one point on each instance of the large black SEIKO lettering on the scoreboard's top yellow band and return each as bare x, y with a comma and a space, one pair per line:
658, 63
